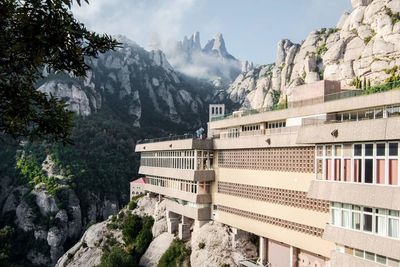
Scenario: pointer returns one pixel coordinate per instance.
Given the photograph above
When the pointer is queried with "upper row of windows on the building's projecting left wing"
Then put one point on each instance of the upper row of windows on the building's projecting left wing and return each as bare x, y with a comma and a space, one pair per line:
189, 160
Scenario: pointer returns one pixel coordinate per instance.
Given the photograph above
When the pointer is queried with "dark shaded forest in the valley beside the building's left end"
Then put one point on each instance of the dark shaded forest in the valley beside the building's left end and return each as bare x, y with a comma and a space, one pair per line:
102, 158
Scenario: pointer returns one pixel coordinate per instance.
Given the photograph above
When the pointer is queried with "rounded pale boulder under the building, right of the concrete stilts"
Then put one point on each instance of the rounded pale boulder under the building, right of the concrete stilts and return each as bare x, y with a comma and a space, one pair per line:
219, 246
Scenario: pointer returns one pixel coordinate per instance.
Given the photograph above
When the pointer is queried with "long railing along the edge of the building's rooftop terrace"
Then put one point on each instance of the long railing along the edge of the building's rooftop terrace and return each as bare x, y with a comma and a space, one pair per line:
331, 97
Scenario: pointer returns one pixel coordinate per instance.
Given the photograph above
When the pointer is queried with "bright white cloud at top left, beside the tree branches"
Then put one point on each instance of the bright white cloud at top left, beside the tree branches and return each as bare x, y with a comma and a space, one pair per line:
147, 22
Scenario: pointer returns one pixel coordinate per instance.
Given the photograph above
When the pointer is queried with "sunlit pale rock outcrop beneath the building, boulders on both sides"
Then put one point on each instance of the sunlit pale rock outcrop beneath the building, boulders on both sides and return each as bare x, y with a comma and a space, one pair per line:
218, 246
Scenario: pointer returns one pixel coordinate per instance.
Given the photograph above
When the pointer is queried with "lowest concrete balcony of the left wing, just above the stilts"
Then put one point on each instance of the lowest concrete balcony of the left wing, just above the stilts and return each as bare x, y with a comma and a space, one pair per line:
196, 213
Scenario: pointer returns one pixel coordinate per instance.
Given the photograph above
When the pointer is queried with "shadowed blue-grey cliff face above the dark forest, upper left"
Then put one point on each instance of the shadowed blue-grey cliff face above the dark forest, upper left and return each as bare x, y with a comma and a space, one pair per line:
143, 85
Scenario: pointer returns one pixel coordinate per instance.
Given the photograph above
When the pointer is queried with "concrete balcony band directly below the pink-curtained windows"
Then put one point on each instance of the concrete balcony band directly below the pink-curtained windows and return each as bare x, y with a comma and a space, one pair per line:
379, 196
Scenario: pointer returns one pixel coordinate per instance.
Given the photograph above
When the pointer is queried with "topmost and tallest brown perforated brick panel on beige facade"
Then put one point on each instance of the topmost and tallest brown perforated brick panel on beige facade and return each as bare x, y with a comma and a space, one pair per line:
290, 159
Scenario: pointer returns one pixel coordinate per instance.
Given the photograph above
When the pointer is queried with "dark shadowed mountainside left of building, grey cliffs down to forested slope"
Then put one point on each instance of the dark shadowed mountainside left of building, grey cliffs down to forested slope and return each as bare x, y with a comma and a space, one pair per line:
51, 193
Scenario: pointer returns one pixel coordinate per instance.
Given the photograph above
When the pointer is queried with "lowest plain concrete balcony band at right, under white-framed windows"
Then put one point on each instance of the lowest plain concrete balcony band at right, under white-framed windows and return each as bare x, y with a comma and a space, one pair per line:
376, 244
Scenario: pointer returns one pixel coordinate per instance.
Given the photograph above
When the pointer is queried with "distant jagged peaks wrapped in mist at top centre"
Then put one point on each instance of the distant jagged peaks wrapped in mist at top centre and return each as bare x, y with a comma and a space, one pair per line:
212, 62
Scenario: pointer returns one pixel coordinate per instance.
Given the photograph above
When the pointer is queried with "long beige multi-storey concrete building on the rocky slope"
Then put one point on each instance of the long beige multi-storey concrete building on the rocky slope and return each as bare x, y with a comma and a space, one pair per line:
317, 179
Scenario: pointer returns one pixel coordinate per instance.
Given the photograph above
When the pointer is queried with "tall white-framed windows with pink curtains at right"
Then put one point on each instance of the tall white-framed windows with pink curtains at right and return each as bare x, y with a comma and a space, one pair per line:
370, 163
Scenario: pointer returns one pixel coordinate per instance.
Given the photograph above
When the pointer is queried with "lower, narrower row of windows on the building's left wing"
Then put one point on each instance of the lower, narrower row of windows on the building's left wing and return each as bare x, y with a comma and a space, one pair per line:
180, 185
